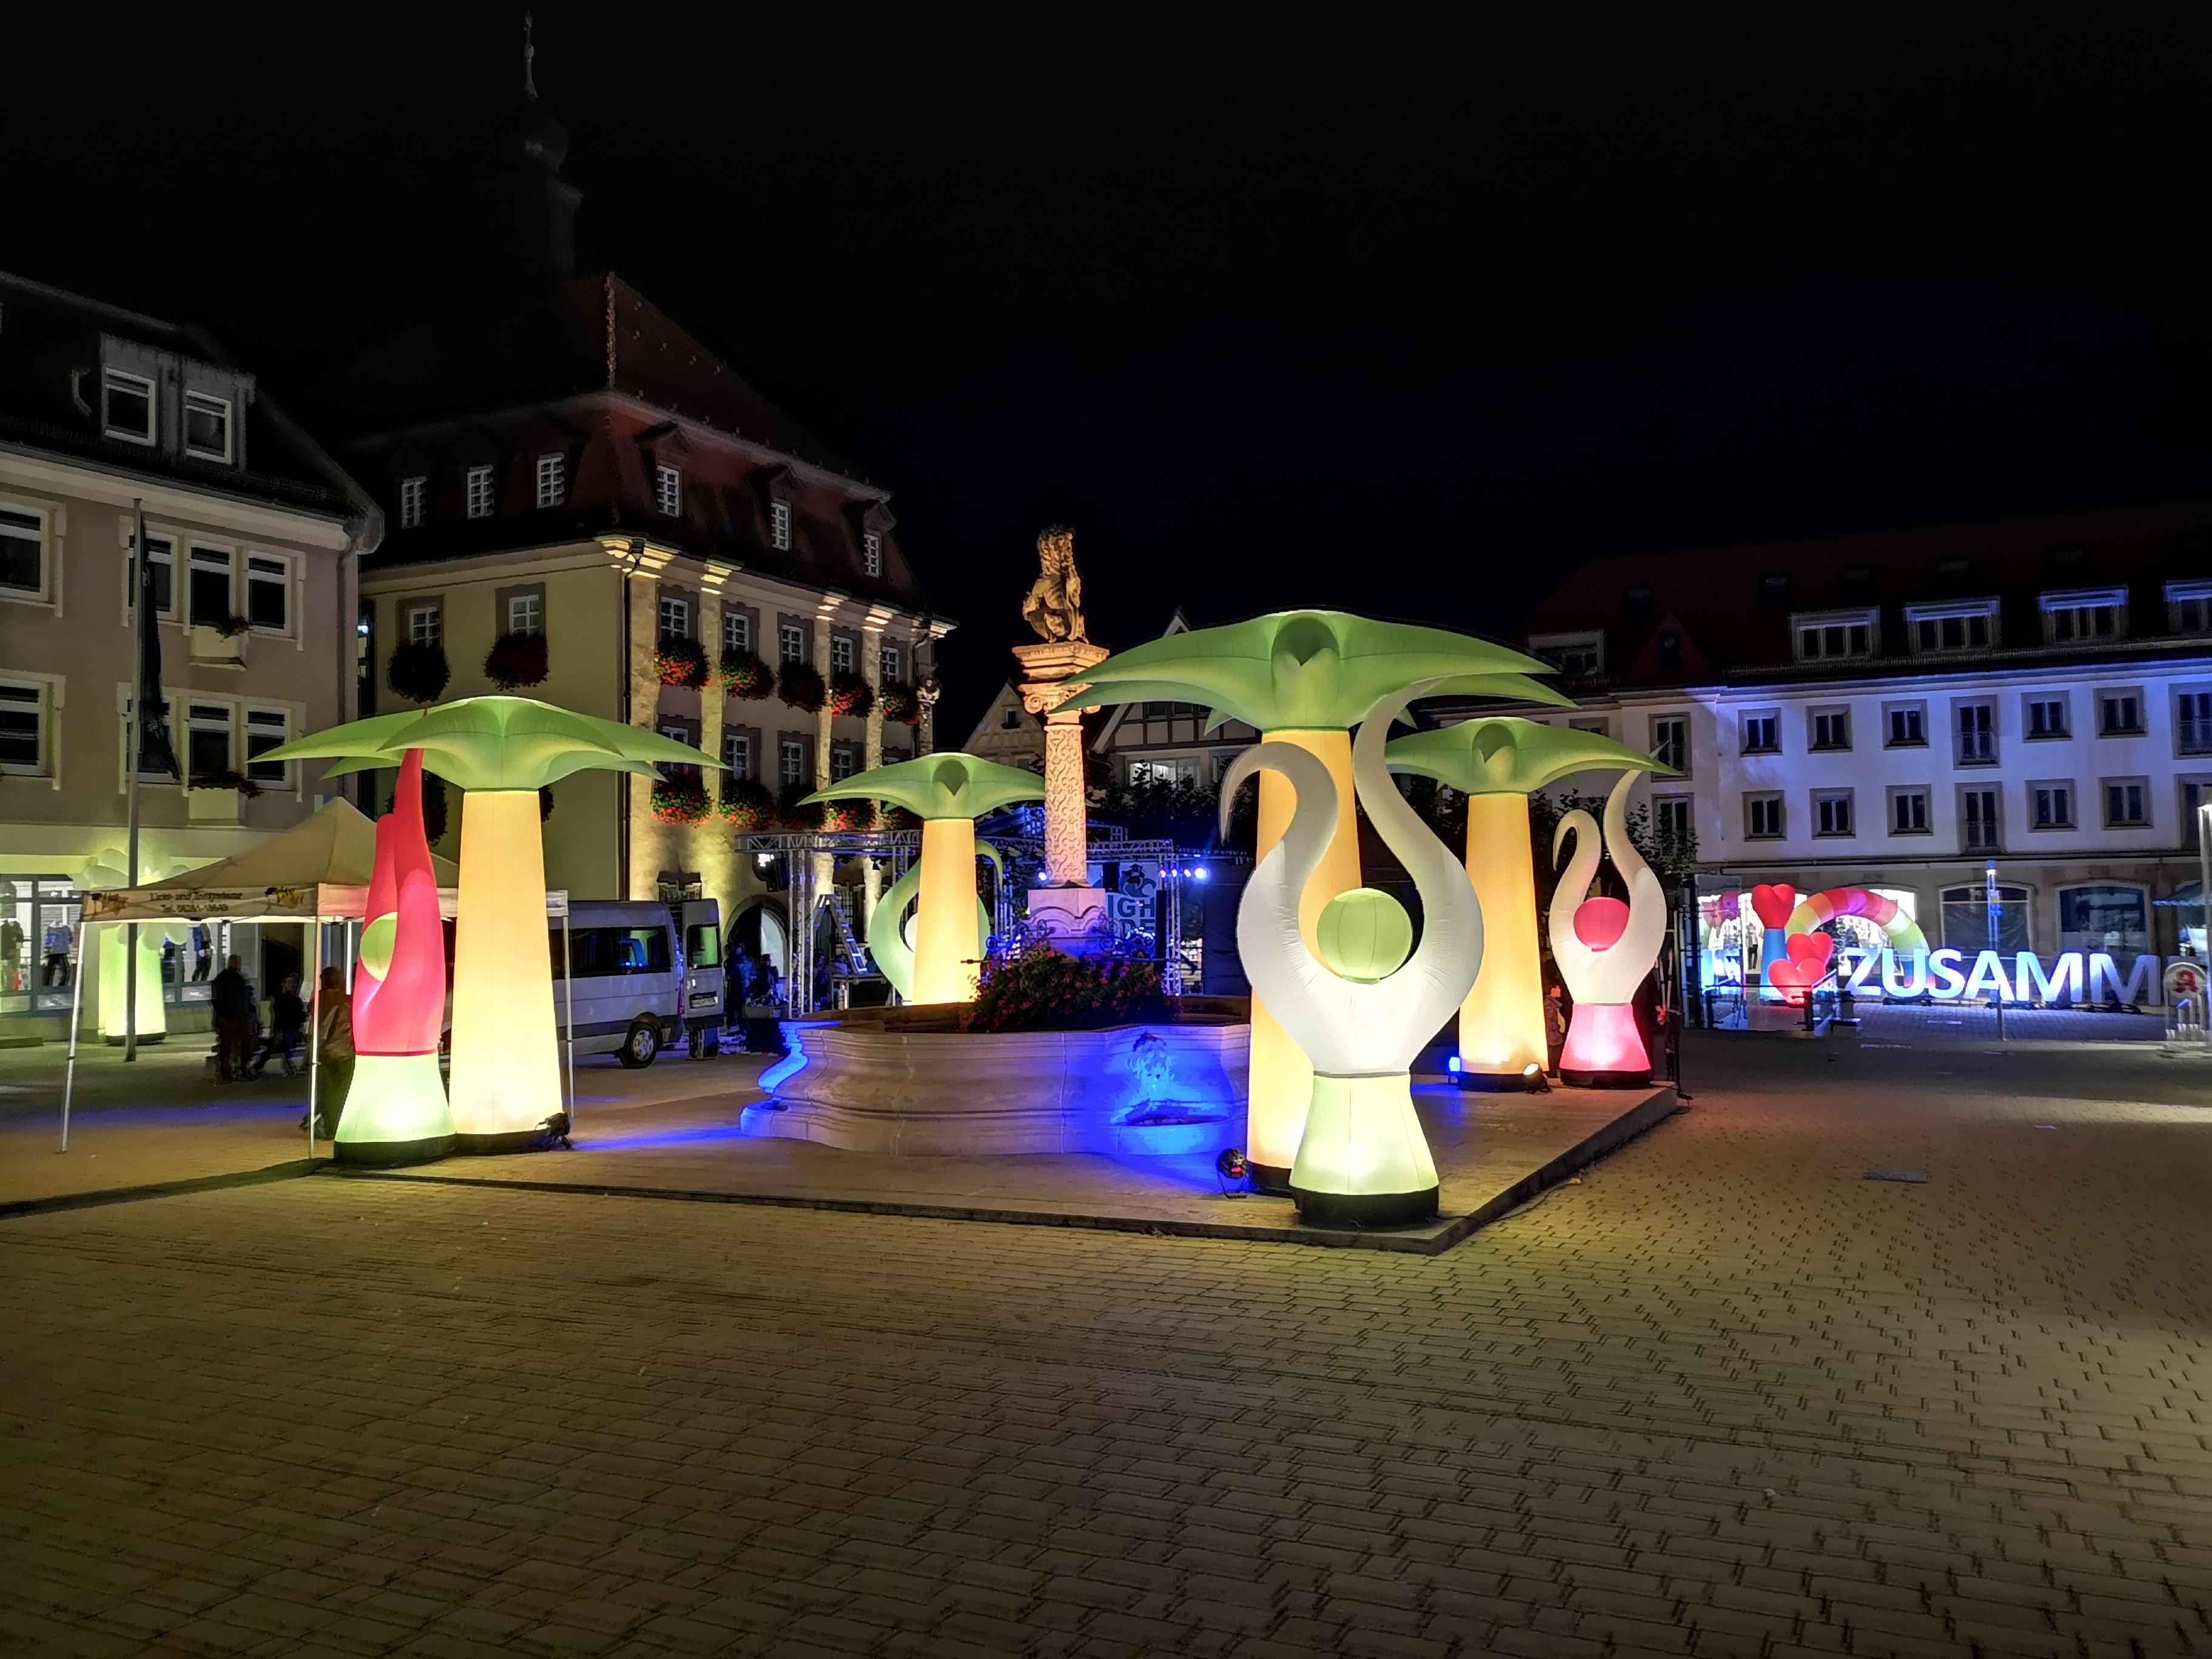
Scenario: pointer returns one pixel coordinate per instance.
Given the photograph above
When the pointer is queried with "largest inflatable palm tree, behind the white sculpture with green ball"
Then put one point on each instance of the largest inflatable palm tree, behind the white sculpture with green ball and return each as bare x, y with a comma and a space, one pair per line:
1306, 678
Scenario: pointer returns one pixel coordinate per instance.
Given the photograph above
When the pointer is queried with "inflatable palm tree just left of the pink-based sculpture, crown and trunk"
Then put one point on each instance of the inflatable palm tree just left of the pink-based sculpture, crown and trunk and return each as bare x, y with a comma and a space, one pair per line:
1496, 764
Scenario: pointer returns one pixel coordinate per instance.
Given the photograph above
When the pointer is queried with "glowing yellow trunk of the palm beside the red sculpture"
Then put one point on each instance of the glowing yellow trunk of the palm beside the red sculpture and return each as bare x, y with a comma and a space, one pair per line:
505, 1076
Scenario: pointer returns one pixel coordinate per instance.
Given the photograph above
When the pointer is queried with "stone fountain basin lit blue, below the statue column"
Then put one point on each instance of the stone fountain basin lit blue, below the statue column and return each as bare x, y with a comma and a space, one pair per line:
906, 1081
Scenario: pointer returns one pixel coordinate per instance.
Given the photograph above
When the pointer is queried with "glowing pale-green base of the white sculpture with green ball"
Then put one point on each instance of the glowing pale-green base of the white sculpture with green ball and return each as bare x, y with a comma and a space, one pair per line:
1364, 1160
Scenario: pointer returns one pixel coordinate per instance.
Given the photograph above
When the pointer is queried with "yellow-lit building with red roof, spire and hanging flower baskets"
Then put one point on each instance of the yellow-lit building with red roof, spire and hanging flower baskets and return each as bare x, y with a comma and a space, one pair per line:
578, 488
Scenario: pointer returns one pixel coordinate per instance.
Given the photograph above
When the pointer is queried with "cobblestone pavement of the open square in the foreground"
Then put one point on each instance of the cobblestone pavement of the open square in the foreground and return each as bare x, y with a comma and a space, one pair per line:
1729, 1399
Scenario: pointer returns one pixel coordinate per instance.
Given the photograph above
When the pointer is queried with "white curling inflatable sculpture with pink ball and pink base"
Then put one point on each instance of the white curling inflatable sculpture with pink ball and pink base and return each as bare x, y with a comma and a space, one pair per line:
1605, 948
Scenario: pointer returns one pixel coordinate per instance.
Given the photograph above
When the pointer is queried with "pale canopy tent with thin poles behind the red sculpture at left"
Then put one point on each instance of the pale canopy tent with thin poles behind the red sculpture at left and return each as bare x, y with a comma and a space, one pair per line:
315, 875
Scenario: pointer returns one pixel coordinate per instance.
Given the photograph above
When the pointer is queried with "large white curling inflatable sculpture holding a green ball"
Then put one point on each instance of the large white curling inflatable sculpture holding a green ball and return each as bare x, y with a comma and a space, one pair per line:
1366, 1008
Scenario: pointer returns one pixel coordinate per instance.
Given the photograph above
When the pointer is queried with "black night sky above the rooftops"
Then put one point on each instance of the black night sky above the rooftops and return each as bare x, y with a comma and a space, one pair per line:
1361, 311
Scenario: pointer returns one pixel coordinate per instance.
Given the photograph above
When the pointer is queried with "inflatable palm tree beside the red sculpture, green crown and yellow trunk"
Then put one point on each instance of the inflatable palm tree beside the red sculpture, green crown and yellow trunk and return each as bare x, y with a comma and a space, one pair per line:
501, 751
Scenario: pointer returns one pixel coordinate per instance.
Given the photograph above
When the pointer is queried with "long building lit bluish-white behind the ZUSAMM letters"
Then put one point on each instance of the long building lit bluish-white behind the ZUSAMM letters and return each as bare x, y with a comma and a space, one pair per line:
1906, 711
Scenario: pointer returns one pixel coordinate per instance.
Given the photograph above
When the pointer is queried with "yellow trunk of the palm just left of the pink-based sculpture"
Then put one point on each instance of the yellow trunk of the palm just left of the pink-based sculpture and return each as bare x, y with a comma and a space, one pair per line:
1503, 1019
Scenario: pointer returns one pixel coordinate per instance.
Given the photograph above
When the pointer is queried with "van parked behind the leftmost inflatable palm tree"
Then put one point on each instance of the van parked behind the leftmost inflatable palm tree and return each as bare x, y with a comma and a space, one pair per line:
638, 985
